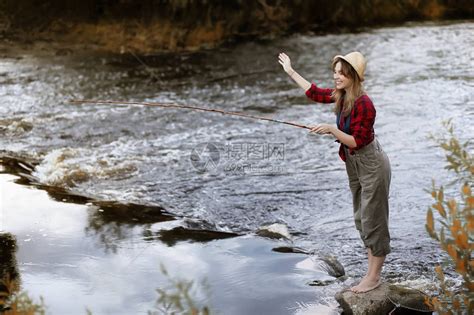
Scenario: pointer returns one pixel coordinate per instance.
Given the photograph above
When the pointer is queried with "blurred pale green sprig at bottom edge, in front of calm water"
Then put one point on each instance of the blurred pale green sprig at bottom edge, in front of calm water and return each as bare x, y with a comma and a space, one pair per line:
177, 299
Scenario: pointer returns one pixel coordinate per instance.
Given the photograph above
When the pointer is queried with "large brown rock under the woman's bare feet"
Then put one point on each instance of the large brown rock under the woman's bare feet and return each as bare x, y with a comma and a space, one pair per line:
377, 302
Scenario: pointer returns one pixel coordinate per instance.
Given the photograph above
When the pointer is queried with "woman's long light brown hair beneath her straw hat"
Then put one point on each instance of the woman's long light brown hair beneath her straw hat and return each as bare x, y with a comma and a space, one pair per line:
345, 100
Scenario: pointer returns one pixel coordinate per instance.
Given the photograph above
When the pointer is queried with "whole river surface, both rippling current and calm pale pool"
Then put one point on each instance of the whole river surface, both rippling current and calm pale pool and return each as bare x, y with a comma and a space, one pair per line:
222, 173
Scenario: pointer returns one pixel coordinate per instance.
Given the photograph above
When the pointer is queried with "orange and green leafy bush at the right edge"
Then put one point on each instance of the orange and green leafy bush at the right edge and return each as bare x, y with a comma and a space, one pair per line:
457, 225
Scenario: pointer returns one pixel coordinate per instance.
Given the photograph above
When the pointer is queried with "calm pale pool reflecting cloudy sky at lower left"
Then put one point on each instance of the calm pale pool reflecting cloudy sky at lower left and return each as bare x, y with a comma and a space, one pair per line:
60, 259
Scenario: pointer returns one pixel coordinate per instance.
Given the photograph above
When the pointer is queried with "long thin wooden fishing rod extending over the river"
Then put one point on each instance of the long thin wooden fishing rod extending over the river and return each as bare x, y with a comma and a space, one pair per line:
175, 105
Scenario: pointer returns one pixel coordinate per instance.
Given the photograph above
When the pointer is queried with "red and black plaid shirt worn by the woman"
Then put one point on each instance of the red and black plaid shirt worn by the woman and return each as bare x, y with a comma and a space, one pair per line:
362, 115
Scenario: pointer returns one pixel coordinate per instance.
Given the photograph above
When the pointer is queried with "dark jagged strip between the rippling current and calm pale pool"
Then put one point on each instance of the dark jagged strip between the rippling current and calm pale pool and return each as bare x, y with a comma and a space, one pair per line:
111, 222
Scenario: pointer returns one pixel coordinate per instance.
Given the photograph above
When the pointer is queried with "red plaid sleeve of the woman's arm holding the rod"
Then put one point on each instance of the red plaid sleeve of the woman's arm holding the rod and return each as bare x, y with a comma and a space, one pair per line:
362, 121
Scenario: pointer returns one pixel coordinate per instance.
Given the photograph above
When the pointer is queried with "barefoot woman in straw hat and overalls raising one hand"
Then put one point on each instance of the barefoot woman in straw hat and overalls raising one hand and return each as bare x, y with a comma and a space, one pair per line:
367, 166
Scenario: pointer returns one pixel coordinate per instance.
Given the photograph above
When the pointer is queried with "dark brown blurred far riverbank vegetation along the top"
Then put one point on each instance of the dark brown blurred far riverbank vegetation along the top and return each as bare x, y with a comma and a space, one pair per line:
150, 25
